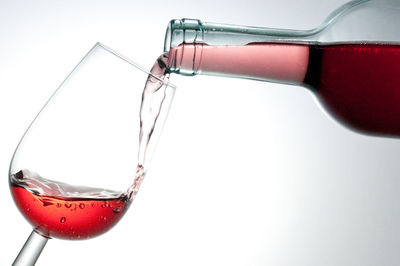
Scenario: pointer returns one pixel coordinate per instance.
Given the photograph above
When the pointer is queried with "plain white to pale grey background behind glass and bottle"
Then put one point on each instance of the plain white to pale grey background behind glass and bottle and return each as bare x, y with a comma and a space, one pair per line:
246, 172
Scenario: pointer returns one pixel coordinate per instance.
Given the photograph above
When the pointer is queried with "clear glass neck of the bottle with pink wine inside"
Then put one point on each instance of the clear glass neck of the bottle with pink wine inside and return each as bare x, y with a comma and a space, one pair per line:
194, 47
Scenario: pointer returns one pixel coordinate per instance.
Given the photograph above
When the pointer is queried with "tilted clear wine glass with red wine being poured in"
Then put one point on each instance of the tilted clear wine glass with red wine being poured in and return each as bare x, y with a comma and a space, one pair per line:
75, 171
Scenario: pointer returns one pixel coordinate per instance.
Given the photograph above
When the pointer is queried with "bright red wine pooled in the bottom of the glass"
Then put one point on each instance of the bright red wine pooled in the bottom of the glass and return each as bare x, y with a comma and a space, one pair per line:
64, 211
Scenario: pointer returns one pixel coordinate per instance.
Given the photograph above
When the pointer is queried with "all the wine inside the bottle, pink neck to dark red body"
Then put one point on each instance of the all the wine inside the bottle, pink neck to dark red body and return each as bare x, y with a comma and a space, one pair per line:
358, 83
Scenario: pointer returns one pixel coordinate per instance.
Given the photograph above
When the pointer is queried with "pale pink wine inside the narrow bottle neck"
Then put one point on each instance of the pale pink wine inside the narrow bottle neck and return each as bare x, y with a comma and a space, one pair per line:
265, 61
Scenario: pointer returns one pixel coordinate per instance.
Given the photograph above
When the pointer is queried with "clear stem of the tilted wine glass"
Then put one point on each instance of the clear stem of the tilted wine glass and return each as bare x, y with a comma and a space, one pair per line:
31, 250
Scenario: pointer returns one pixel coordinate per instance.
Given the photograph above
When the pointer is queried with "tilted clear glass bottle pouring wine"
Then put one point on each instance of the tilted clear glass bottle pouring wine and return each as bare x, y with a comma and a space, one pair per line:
351, 62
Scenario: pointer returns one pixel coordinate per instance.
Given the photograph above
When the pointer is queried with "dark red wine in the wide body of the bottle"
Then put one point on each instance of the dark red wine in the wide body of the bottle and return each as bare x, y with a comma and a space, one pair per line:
359, 84
